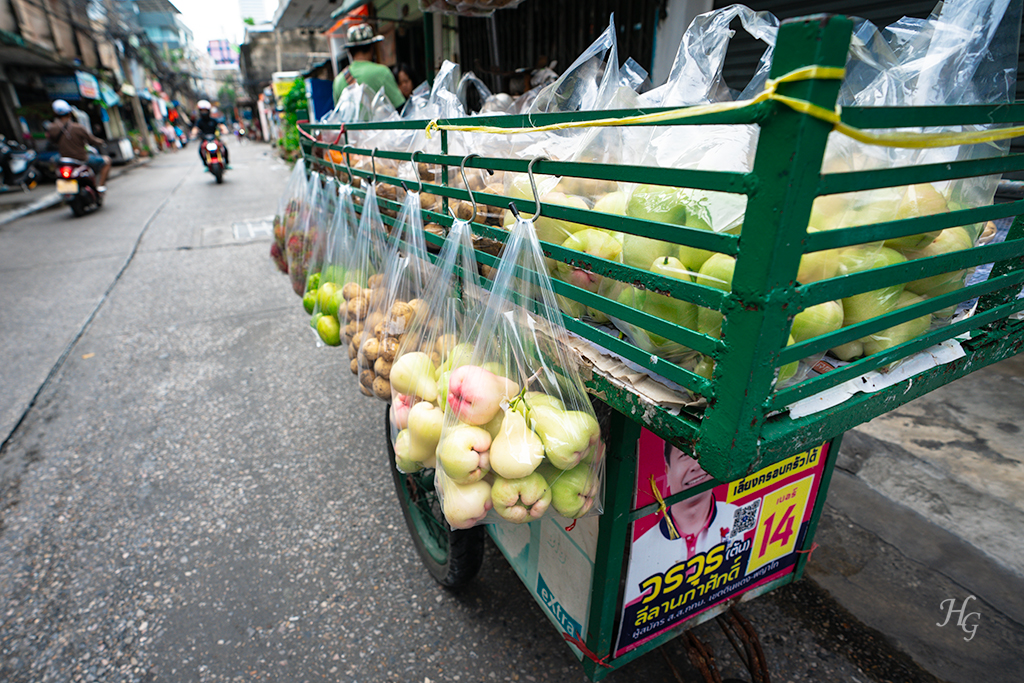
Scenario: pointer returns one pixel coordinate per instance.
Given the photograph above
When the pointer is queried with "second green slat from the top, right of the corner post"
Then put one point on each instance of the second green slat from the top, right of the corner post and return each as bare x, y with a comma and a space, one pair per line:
835, 184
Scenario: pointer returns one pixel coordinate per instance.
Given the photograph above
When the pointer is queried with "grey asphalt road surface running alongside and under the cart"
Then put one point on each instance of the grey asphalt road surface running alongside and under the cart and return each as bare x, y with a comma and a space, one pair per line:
192, 491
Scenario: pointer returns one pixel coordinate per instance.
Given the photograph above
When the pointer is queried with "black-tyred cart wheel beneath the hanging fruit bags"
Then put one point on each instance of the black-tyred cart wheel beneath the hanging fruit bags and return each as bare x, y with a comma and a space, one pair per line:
452, 557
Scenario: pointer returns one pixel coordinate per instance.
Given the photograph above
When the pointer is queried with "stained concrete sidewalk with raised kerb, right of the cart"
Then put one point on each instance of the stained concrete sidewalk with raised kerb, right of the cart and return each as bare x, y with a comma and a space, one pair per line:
927, 507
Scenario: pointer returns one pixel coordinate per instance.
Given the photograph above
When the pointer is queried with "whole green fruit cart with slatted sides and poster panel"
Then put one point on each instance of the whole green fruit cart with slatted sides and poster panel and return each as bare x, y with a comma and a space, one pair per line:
765, 450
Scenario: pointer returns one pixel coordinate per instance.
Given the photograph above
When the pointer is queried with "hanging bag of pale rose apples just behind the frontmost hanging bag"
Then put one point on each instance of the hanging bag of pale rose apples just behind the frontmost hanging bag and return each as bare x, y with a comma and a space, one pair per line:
431, 350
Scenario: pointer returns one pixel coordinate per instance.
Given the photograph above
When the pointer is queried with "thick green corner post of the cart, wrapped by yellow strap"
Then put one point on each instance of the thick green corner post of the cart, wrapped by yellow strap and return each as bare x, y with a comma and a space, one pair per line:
787, 163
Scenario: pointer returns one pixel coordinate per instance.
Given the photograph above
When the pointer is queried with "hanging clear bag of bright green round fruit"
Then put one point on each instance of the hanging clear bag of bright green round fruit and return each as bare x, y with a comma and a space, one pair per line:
325, 303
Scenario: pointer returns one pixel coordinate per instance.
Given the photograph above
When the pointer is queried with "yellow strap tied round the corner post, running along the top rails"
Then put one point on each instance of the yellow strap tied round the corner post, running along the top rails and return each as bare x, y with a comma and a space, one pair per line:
907, 140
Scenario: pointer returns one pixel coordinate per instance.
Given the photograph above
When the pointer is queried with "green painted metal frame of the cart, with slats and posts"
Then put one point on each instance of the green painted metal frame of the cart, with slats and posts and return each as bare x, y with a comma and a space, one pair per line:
745, 426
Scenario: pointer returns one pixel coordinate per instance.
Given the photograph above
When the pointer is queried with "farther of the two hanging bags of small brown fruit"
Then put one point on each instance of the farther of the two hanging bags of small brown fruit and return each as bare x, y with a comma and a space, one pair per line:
362, 290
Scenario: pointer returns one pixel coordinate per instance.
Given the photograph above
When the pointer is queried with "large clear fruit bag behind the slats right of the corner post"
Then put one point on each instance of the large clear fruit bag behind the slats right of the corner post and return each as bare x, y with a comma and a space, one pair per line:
948, 59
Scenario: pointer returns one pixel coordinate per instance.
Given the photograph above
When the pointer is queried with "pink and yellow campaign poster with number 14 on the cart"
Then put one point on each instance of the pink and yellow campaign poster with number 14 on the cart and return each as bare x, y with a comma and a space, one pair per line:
715, 545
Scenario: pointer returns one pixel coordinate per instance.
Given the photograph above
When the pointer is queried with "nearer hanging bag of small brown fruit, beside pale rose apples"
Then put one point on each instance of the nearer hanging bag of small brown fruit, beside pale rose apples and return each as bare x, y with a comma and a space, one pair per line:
407, 272
